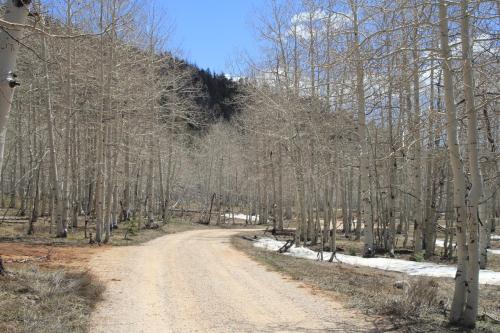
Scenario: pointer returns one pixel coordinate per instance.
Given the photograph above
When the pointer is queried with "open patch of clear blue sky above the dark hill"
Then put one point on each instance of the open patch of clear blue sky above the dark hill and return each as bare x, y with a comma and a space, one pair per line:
213, 33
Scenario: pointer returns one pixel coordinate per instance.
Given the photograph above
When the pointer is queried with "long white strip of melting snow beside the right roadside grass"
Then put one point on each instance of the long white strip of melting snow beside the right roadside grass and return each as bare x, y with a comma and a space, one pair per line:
388, 264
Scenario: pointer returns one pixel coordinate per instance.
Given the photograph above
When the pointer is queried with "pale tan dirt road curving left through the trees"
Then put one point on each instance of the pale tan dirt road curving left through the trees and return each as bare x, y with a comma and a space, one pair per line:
197, 282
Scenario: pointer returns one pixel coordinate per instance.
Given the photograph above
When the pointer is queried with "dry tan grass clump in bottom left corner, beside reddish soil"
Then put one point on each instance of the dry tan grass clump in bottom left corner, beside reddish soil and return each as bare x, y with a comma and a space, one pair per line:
35, 300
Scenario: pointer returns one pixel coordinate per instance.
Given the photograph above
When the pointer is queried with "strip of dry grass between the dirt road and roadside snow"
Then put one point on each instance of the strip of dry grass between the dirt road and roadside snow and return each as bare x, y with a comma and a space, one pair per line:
414, 308
